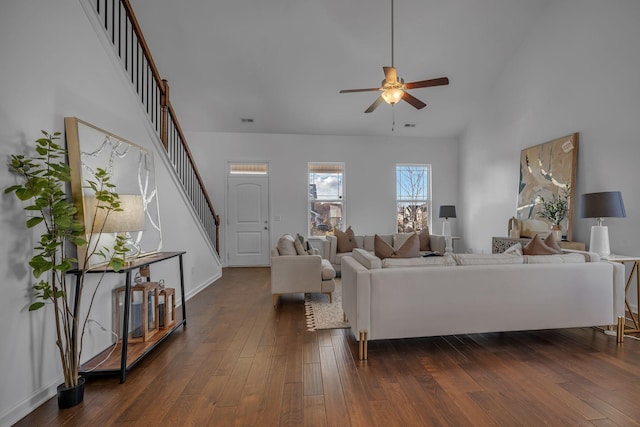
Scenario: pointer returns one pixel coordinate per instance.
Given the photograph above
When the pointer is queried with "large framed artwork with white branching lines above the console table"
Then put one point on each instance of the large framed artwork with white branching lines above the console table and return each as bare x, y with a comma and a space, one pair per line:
131, 169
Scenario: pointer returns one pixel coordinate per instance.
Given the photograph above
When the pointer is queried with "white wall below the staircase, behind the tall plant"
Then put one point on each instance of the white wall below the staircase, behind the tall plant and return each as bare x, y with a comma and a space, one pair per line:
53, 65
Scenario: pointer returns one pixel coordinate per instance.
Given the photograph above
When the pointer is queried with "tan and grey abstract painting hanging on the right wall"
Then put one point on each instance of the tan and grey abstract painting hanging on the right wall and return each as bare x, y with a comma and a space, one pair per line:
547, 170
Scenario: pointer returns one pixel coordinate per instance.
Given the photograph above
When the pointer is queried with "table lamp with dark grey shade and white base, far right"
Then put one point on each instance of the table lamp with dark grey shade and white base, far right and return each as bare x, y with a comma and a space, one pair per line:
601, 205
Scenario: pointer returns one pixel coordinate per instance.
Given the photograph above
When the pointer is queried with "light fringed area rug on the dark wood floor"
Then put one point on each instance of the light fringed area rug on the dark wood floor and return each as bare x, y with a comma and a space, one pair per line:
321, 314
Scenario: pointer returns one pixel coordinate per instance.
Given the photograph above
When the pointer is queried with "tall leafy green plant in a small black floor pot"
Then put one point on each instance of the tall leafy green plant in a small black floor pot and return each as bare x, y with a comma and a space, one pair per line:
44, 177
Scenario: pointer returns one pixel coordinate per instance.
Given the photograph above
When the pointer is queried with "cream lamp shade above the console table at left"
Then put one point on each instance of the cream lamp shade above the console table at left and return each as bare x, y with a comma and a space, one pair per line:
131, 218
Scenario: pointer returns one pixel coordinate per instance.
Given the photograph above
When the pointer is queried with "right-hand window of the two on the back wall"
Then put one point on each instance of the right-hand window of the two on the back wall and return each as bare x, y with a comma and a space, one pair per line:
413, 197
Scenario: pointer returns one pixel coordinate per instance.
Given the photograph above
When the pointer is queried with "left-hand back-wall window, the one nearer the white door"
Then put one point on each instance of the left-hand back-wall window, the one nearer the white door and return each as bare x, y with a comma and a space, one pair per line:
326, 203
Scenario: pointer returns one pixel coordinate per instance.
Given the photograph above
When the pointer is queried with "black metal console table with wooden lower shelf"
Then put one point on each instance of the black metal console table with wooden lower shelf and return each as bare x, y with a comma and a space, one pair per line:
126, 355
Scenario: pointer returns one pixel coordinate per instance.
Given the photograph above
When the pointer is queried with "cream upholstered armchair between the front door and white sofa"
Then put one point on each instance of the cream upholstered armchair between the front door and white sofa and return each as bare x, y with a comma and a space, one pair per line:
299, 271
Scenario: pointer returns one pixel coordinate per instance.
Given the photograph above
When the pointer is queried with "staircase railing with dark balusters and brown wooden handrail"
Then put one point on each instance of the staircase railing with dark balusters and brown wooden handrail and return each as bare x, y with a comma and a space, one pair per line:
122, 28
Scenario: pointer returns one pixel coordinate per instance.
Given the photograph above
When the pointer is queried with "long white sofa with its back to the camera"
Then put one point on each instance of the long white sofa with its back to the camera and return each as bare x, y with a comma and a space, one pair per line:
381, 302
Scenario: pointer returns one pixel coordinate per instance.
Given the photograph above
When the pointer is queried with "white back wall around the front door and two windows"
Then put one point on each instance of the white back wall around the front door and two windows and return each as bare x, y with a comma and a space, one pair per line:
369, 173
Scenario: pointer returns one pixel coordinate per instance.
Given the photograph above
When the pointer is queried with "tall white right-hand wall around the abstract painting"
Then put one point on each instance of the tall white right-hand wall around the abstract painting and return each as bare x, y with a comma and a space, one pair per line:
576, 72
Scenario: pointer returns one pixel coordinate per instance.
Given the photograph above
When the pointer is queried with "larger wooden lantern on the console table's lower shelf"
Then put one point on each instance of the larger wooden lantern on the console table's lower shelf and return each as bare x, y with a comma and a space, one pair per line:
143, 315
